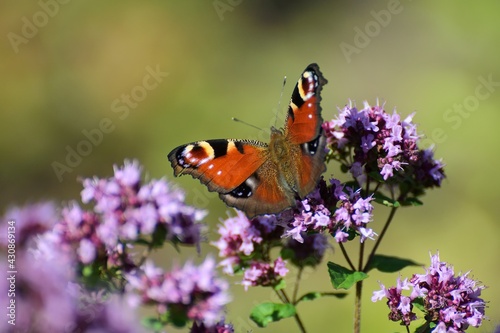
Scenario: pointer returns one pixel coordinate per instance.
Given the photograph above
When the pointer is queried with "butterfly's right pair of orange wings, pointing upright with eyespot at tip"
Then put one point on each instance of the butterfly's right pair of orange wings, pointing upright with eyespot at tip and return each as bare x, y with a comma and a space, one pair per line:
303, 128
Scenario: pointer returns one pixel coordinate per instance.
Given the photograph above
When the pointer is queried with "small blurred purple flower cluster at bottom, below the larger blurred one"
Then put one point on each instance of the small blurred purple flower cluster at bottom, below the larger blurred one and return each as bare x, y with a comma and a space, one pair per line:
193, 291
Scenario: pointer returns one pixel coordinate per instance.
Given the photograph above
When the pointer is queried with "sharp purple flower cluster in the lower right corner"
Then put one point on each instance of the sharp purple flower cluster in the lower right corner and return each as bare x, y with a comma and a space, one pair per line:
450, 301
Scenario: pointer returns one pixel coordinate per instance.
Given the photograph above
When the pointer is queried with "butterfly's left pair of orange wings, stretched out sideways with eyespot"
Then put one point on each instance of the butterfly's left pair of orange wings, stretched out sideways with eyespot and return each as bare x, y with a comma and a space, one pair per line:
239, 170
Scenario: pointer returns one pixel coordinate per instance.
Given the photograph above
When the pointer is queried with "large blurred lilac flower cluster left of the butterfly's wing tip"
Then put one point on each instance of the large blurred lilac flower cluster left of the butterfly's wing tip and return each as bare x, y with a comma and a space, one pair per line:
126, 210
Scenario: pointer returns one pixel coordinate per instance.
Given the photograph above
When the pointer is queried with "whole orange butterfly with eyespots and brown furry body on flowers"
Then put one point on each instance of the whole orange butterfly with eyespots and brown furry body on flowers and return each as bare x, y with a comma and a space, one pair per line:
259, 178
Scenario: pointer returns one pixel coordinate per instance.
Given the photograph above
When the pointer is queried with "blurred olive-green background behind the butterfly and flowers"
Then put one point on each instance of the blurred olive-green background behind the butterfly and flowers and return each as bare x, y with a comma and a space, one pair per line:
65, 68
